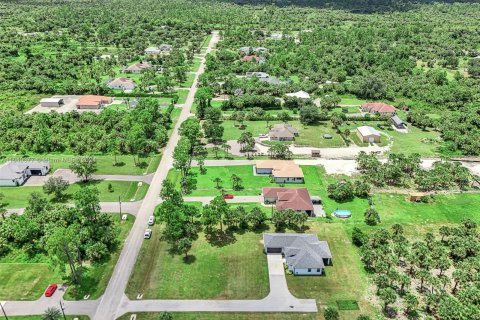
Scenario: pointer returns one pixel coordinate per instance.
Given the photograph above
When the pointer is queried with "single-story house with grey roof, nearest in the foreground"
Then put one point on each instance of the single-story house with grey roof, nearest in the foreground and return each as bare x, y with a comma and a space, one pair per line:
304, 254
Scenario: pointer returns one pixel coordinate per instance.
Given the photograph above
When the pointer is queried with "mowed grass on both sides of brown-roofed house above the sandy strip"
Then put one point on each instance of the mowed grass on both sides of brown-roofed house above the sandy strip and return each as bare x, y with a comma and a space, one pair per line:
308, 135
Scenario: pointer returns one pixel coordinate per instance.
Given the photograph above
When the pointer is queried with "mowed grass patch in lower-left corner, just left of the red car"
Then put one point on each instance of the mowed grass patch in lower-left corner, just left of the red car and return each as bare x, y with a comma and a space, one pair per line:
25, 281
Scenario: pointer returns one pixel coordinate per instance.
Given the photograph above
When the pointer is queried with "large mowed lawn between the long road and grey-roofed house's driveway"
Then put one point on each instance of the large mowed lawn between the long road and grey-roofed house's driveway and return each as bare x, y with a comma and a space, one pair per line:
236, 270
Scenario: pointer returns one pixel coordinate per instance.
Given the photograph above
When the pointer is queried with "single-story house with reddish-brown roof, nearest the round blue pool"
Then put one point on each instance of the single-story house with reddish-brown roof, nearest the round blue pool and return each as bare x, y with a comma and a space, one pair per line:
297, 199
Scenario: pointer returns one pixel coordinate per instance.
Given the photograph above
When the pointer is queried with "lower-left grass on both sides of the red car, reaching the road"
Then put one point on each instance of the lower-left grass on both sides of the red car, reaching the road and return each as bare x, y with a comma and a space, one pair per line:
28, 281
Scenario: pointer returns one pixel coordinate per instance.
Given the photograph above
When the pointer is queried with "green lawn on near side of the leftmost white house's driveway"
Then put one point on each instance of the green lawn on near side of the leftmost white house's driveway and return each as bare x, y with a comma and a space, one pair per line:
17, 197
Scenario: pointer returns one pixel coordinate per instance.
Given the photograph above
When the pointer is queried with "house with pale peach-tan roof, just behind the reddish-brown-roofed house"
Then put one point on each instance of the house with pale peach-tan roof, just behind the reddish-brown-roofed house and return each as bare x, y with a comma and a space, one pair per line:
282, 171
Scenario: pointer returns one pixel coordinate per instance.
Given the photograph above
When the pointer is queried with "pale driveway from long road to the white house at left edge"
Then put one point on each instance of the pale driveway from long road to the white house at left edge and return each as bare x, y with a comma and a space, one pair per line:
71, 178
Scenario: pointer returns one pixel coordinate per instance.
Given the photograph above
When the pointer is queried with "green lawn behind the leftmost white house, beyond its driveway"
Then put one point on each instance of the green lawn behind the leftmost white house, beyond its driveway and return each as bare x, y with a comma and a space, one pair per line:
105, 163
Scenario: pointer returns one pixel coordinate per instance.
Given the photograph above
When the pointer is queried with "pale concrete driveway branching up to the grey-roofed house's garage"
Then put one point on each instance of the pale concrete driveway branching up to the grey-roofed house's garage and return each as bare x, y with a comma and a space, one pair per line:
278, 300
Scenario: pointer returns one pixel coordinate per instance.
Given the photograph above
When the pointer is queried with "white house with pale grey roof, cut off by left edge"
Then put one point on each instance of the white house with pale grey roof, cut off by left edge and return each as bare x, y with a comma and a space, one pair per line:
14, 173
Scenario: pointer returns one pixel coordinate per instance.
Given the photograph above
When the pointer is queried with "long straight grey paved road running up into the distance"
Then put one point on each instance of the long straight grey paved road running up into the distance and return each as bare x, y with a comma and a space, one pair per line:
114, 293
